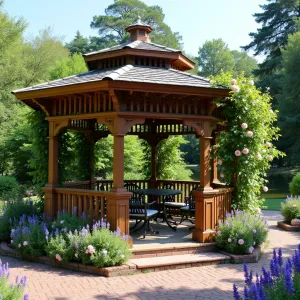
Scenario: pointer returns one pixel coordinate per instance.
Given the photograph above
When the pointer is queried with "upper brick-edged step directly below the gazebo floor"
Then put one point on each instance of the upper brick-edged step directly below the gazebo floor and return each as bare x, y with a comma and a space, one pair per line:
158, 250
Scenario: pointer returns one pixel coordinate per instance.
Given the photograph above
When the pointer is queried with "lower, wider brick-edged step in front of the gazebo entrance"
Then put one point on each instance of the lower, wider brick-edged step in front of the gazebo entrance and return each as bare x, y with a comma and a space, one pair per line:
179, 261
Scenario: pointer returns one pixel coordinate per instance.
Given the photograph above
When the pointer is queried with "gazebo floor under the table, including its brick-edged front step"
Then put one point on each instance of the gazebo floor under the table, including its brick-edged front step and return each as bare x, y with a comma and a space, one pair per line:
167, 241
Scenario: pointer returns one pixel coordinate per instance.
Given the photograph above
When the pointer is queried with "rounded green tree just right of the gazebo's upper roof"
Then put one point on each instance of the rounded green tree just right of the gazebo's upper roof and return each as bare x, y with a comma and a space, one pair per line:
215, 56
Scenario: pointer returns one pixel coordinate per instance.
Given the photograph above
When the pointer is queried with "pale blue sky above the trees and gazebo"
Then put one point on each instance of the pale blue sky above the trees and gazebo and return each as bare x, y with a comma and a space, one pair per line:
196, 20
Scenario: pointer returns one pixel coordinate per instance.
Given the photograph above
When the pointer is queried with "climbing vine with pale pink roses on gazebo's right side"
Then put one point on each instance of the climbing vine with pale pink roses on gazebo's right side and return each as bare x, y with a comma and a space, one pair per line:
245, 147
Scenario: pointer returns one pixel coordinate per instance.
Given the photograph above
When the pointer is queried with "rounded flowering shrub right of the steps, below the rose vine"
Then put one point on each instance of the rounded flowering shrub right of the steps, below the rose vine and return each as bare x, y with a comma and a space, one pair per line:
241, 232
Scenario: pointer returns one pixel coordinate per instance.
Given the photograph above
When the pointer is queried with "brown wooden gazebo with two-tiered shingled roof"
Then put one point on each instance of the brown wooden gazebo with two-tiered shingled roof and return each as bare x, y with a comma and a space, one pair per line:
136, 88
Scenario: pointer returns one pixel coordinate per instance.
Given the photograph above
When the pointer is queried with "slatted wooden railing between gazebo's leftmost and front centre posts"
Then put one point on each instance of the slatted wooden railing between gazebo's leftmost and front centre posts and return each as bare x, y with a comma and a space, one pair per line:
90, 203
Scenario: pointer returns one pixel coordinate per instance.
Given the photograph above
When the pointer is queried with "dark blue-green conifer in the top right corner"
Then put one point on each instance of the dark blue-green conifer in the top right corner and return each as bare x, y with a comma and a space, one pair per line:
278, 20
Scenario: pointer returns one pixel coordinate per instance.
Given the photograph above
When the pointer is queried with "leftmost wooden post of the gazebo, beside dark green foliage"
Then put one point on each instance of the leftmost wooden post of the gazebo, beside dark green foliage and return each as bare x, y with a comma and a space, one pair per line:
50, 202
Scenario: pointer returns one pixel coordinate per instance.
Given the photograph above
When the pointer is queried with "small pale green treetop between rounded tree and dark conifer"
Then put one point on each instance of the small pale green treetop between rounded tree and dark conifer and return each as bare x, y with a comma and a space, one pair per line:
243, 63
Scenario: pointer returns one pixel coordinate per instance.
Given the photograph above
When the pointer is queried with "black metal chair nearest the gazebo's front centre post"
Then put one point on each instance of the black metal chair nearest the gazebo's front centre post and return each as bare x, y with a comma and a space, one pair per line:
140, 210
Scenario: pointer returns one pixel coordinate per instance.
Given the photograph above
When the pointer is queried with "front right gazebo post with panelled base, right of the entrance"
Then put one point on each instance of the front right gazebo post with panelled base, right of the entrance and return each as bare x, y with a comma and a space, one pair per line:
204, 197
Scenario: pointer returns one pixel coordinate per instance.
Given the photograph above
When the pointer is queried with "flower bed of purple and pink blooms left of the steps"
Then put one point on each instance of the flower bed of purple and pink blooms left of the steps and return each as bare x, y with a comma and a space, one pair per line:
70, 239
